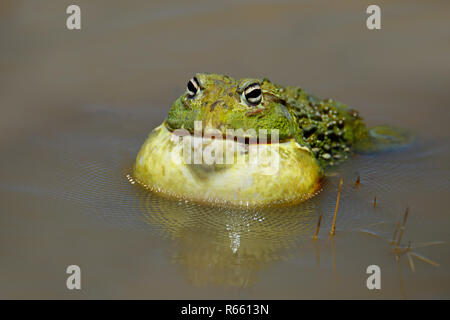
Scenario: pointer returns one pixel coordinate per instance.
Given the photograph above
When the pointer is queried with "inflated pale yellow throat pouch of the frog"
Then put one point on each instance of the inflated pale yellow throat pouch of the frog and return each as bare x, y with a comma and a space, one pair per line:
191, 168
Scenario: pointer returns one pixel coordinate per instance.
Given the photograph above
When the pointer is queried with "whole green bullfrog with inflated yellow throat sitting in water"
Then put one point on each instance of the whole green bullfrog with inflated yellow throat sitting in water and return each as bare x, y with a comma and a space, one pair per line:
250, 142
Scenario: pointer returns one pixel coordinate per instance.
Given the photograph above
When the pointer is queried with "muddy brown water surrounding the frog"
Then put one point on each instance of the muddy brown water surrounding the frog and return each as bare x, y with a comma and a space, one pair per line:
77, 105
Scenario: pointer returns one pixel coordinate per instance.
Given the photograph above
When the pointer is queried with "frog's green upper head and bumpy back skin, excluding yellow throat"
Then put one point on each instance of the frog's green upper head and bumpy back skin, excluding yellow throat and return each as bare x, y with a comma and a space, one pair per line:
328, 128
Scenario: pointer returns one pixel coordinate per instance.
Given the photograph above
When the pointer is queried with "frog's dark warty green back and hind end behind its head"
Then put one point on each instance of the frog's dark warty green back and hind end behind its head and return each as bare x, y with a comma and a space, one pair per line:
333, 131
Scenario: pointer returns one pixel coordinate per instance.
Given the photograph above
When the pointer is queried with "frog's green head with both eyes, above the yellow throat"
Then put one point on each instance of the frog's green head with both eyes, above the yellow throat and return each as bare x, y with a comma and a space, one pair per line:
223, 103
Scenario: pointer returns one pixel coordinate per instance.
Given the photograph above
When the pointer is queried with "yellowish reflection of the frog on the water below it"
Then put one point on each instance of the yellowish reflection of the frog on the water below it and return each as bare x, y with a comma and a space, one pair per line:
228, 247
